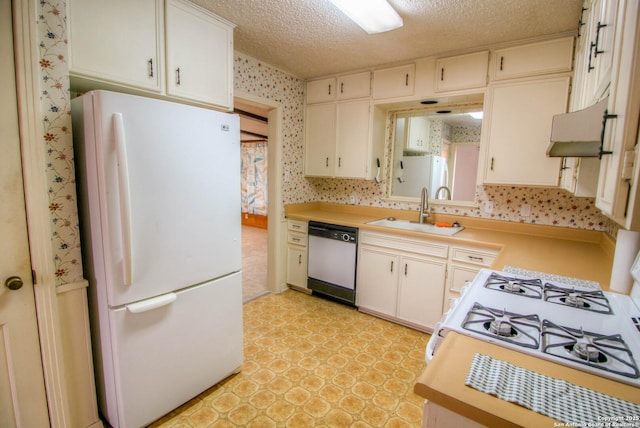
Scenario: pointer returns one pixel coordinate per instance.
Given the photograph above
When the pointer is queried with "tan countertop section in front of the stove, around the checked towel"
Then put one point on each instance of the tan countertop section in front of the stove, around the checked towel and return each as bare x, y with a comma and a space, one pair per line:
443, 383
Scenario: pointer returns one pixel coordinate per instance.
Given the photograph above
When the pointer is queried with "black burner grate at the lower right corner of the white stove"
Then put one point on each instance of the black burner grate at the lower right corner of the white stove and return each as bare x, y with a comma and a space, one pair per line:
605, 352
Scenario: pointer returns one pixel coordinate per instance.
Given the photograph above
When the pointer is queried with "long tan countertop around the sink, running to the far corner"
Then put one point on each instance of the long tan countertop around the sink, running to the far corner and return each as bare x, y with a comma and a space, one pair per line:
563, 251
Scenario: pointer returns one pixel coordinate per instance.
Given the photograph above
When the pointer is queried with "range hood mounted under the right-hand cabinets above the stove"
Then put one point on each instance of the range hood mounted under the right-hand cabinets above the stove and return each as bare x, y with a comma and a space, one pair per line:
579, 134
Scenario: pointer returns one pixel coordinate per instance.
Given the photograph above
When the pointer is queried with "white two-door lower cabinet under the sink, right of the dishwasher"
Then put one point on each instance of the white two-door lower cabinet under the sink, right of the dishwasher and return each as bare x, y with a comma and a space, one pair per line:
401, 279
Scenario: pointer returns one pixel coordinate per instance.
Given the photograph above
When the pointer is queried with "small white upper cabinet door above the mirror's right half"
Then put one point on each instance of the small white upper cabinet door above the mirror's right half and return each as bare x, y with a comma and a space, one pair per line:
462, 72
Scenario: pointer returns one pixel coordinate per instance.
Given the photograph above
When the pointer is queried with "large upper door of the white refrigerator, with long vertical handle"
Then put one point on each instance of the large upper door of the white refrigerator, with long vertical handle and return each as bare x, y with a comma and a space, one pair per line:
168, 178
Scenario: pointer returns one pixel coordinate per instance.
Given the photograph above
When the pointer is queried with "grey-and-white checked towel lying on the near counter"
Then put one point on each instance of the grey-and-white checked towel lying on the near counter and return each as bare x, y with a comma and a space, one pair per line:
556, 398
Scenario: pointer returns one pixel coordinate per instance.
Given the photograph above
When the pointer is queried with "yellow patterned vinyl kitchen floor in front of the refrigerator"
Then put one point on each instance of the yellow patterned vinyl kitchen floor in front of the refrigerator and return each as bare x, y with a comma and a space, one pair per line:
312, 362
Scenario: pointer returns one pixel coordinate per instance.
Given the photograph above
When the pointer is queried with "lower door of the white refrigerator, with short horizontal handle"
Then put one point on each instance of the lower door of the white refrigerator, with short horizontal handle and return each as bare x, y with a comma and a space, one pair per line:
166, 354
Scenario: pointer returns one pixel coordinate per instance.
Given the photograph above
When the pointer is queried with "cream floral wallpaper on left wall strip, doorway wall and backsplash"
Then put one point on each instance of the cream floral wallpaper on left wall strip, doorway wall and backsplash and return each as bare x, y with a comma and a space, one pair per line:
549, 206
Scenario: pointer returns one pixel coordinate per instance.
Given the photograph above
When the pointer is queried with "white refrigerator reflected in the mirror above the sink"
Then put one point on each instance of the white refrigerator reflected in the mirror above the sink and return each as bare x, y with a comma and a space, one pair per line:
416, 172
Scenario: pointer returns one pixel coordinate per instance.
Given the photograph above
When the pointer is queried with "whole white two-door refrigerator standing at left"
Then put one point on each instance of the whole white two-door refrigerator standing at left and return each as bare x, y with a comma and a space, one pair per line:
159, 192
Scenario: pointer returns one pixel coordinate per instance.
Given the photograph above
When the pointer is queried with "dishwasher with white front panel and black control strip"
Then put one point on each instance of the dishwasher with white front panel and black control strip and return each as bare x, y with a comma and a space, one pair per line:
332, 261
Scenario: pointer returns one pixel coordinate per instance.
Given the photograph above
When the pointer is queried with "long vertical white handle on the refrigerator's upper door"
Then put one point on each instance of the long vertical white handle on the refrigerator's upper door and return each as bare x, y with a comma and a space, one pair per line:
124, 199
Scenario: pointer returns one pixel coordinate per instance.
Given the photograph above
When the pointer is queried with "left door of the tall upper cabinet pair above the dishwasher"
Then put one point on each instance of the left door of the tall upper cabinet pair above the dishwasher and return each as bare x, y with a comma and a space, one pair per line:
320, 140
